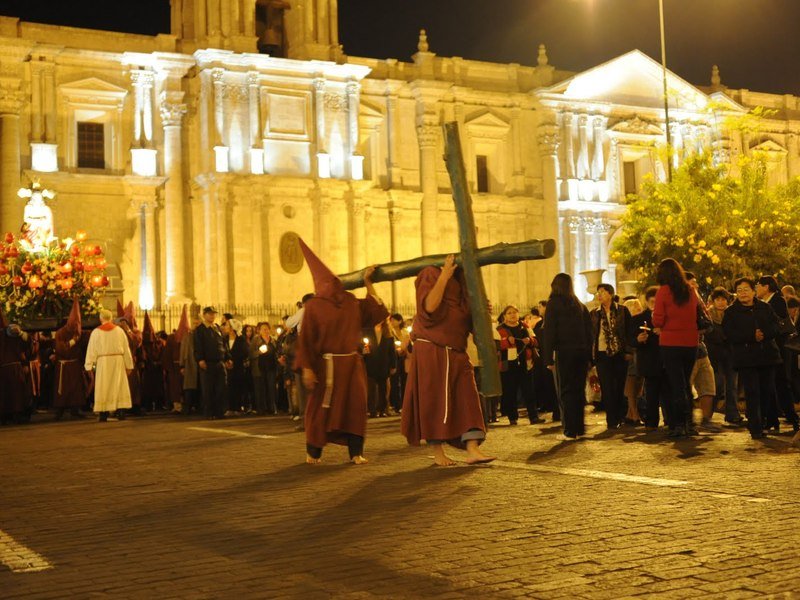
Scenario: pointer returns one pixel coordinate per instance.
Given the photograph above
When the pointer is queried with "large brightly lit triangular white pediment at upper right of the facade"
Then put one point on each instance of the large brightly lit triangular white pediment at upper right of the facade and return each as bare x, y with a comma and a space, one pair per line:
633, 79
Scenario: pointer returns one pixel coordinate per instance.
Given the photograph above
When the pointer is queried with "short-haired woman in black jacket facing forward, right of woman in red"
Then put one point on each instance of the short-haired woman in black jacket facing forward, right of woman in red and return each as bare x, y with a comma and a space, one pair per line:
751, 327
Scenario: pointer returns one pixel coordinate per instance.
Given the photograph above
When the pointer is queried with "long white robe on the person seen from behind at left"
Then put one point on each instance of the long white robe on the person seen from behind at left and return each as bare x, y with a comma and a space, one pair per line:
109, 351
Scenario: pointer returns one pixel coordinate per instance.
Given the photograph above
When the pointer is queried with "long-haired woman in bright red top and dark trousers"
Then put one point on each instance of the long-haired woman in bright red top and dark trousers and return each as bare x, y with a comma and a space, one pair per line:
675, 320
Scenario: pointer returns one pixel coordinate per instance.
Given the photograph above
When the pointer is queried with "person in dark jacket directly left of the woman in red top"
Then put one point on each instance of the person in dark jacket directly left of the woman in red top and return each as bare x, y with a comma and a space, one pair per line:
648, 361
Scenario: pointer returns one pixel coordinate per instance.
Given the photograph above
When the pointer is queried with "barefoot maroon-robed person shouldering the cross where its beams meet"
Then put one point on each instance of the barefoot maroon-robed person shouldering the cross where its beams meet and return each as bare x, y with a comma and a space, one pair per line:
441, 403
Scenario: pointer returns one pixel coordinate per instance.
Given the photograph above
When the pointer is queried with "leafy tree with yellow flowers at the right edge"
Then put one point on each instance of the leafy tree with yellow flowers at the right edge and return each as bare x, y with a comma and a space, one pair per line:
718, 226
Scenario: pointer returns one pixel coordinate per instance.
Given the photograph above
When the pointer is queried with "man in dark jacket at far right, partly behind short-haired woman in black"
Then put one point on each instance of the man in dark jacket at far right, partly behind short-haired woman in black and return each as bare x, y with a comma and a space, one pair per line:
783, 398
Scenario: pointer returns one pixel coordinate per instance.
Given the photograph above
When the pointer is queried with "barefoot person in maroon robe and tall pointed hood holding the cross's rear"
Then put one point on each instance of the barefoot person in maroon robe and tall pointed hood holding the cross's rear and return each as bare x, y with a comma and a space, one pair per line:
332, 368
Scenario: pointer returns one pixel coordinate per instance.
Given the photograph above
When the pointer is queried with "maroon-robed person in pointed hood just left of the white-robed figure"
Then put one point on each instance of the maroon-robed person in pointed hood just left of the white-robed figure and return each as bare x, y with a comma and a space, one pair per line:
70, 384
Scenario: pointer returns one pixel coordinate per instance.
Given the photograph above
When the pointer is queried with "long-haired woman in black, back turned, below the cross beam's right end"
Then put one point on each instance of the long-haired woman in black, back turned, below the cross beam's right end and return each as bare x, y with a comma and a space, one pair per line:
568, 351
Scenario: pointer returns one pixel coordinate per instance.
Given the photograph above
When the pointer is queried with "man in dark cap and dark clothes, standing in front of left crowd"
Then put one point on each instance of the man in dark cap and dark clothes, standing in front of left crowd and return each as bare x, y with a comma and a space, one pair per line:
212, 357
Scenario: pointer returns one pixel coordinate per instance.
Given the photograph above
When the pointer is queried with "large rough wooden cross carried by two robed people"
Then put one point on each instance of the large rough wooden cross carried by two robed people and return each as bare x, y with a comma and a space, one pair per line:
470, 259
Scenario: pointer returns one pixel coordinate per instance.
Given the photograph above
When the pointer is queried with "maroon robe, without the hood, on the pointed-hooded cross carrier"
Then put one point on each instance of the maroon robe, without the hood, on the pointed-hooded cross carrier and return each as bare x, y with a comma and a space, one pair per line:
335, 328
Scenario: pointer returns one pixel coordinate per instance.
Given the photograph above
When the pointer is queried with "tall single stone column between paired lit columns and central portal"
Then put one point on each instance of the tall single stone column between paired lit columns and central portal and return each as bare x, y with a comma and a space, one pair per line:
172, 111
